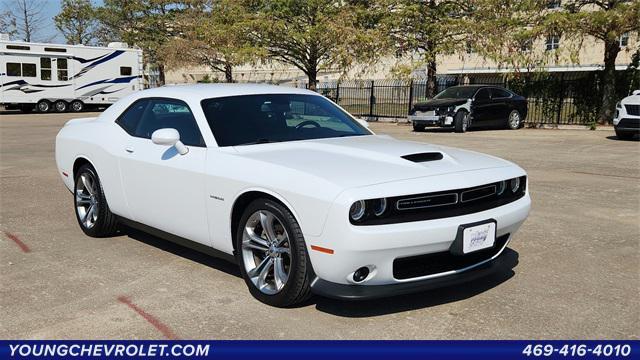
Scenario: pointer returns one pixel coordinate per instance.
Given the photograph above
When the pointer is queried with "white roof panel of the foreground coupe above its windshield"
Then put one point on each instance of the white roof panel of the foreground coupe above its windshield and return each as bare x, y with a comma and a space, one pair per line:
205, 91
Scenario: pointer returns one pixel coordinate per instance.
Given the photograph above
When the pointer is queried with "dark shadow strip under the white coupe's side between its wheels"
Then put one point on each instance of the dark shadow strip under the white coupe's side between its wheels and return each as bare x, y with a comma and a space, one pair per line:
182, 251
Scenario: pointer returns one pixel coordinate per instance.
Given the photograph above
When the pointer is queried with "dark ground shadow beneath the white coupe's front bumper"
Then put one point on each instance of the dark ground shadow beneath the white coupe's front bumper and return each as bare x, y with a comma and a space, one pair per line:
396, 304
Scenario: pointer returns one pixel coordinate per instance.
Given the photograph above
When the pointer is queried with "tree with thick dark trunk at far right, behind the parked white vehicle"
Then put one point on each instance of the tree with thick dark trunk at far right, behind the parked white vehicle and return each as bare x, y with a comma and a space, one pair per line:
606, 21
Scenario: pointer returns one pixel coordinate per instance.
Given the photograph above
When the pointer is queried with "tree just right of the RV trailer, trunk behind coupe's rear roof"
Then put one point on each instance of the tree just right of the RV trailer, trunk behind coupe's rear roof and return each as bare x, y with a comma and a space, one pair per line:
147, 24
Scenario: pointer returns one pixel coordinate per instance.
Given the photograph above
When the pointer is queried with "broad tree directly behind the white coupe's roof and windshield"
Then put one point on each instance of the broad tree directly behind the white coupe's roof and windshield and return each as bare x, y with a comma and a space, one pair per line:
314, 35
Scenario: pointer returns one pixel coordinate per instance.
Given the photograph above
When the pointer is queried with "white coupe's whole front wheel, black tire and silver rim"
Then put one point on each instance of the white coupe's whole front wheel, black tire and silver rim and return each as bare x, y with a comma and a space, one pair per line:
254, 255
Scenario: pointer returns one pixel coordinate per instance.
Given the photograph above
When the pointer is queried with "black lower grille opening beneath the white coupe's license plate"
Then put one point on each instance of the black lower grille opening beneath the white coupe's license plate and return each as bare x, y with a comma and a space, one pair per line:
429, 264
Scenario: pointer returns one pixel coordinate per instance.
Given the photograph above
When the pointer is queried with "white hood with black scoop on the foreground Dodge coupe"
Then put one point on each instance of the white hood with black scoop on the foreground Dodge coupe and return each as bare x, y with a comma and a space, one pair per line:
368, 160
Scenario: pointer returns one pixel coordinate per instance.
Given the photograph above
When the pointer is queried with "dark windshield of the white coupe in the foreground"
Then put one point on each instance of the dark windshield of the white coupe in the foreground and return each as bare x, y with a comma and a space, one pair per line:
265, 118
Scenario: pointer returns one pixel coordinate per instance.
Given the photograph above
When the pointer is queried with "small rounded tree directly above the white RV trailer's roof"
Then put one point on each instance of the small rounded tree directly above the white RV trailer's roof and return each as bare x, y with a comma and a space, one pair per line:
77, 21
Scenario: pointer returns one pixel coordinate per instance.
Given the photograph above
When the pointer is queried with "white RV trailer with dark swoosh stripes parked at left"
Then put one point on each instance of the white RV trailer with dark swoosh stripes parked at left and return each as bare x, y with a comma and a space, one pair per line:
54, 77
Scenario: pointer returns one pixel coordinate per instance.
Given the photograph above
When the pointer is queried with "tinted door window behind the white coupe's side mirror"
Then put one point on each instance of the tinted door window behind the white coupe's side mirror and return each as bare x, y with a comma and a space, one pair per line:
169, 113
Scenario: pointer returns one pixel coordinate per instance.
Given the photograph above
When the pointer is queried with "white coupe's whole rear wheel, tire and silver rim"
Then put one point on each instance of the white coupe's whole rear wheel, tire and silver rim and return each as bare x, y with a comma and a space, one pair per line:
88, 193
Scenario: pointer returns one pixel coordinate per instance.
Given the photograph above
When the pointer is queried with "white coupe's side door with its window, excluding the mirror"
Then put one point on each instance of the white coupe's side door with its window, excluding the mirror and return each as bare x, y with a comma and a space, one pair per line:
164, 189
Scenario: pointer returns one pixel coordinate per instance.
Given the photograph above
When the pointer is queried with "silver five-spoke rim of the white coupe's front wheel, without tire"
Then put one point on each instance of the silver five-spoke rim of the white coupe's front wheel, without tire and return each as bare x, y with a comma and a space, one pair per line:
266, 251
